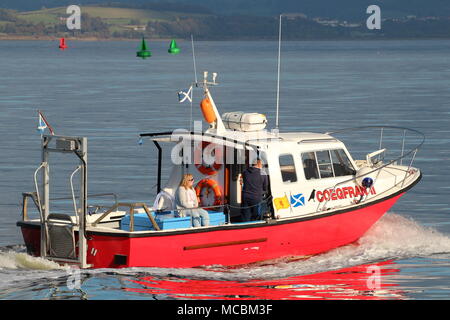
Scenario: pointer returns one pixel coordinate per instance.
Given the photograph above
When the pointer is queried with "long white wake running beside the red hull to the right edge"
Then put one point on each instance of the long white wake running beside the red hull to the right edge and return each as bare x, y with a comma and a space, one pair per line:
393, 237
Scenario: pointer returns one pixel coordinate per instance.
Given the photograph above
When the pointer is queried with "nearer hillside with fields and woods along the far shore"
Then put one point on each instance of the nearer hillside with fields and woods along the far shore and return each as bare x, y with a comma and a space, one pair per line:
131, 23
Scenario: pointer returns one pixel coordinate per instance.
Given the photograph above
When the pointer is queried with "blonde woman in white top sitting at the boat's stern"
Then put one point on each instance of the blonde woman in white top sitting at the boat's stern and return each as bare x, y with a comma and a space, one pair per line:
186, 198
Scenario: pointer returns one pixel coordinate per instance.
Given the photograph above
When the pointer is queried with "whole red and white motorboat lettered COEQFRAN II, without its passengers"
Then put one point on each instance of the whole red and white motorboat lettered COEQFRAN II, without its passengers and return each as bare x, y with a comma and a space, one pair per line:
319, 198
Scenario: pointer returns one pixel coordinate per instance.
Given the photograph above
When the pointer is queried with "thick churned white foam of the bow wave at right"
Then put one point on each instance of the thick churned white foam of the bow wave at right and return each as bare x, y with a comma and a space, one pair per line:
393, 237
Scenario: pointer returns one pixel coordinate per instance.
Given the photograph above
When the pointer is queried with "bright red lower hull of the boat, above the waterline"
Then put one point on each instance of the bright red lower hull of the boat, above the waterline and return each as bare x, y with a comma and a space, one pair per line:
238, 245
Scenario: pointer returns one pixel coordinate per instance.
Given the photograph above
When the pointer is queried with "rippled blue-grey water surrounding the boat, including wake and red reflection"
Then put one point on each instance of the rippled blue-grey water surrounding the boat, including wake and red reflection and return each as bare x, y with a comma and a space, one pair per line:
101, 91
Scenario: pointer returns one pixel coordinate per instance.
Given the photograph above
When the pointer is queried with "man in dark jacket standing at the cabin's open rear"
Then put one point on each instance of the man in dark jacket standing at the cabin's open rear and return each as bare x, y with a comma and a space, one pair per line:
255, 184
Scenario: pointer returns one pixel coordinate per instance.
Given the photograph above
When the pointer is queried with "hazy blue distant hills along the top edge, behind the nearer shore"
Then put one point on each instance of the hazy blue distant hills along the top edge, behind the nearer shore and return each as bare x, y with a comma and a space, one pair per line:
350, 10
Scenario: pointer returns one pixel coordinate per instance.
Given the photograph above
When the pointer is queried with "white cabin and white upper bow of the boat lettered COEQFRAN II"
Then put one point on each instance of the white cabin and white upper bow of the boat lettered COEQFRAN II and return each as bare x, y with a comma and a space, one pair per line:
308, 172
